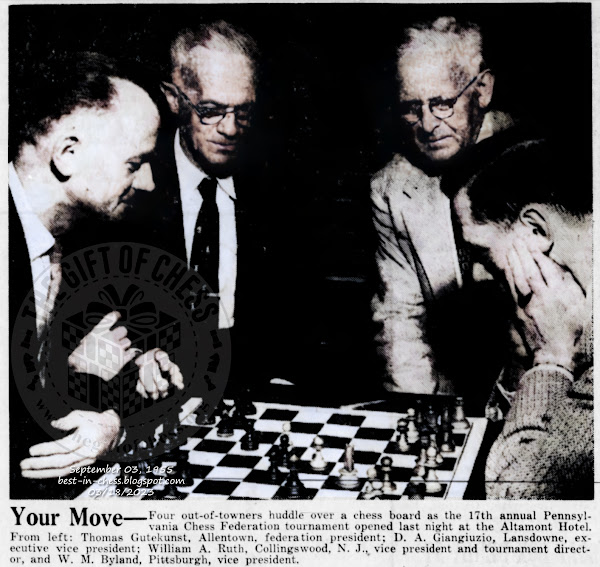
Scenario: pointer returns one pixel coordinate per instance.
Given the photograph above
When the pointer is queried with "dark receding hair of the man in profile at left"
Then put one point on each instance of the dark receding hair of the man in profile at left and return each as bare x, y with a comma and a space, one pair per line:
49, 89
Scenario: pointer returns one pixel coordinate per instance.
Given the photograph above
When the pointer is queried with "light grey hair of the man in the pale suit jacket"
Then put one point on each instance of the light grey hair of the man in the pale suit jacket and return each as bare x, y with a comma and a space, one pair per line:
448, 37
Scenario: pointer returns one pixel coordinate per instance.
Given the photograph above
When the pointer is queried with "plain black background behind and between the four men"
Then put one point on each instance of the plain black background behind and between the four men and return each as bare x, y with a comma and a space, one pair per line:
328, 95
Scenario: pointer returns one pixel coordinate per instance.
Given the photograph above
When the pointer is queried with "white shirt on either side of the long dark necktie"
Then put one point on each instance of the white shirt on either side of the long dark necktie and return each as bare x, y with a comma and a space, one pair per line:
191, 200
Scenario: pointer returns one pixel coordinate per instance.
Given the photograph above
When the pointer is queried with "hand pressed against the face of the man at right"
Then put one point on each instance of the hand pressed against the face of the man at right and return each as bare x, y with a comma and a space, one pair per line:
551, 305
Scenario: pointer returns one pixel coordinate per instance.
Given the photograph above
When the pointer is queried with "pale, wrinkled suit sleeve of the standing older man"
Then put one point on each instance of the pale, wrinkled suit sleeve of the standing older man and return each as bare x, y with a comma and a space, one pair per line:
399, 308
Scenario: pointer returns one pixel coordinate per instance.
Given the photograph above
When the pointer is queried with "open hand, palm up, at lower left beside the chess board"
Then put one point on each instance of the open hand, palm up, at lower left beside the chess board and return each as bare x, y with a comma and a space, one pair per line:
94, 435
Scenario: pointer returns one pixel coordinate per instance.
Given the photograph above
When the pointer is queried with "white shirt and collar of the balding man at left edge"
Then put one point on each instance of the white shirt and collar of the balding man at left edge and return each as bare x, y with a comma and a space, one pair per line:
39, 245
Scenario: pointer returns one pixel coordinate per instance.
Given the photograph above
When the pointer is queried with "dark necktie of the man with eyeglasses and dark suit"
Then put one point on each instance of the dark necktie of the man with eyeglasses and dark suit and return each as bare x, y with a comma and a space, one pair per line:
205, 248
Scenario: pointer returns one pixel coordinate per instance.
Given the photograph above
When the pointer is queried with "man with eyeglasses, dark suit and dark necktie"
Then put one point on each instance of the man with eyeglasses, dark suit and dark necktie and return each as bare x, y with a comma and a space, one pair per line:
212, 216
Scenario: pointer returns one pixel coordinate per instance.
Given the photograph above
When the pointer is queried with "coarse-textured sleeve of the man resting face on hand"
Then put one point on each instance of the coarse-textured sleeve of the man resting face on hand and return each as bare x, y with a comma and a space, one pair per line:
545, 450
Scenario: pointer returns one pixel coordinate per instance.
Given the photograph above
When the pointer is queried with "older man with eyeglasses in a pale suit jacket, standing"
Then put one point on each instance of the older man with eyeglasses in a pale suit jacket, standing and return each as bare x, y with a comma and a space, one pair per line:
445, 90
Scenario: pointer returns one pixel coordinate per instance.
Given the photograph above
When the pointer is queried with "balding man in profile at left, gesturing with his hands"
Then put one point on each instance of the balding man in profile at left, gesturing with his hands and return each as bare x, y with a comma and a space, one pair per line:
82, 133
